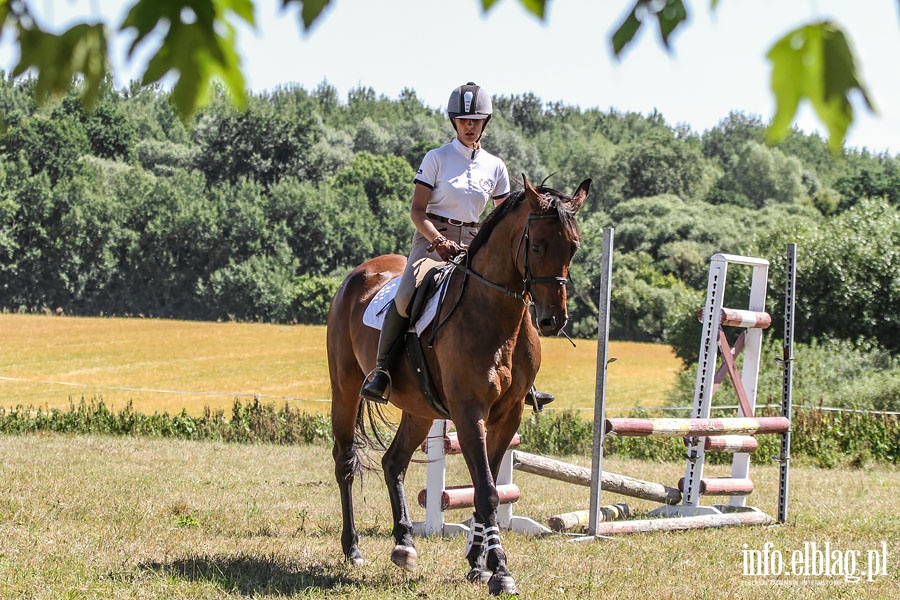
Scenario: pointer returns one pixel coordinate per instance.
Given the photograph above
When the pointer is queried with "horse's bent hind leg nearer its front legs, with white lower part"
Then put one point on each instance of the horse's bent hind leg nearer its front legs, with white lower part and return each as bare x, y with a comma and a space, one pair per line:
410, 435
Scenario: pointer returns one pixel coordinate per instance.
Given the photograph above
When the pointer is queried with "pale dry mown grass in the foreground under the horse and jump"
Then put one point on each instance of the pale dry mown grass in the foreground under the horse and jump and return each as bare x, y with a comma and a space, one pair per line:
98, 517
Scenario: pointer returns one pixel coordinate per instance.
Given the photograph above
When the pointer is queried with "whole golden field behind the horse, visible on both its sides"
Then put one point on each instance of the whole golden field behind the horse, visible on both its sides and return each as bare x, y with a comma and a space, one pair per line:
168, 365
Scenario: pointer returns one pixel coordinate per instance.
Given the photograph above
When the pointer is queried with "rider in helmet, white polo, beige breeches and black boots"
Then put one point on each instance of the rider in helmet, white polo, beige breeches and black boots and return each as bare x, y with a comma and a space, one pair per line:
452, 188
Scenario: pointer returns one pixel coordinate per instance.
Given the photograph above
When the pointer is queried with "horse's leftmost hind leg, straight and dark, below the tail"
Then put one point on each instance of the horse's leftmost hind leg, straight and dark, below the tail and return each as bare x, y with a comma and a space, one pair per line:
345, 408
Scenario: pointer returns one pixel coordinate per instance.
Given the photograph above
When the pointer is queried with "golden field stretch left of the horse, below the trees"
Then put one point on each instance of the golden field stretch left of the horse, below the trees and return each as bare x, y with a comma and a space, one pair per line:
160, 365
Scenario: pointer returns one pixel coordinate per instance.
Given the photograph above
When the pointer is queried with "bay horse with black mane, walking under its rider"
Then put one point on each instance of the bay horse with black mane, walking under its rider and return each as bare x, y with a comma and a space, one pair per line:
483, 361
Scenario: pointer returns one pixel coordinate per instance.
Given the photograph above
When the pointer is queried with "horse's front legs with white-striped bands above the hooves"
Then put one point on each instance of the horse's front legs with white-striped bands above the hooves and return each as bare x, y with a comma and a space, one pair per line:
472, 443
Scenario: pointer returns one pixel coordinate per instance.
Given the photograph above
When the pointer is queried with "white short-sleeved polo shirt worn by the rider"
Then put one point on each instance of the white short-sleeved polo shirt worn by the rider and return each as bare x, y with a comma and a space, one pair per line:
461, 184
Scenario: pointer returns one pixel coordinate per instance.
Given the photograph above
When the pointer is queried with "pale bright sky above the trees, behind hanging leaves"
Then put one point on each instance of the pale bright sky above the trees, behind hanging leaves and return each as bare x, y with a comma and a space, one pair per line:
716, 64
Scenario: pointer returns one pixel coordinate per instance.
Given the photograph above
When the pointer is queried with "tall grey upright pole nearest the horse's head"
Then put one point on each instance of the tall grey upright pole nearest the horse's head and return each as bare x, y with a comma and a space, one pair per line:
595, 515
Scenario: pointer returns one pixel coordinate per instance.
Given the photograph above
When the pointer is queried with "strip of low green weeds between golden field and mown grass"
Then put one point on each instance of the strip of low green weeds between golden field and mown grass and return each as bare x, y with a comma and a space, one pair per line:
826, 439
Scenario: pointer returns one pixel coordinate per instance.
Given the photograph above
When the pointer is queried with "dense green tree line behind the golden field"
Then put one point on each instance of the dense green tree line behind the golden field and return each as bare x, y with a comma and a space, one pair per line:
257, 214
